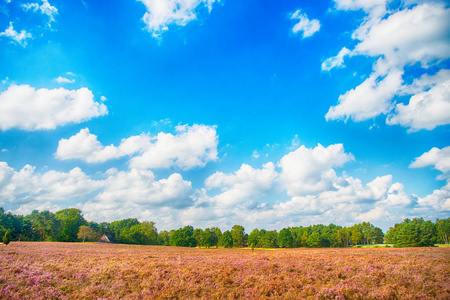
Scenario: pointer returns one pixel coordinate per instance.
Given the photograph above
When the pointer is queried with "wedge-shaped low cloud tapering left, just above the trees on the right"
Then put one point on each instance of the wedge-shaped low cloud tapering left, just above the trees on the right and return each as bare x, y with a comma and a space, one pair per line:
349, 202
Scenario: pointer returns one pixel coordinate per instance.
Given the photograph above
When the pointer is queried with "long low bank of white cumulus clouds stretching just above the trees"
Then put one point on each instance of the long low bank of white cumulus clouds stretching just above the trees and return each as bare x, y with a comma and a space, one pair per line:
302, 189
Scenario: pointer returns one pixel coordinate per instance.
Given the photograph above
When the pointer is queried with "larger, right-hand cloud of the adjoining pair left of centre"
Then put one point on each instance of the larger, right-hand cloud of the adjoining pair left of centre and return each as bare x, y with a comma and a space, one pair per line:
192, 146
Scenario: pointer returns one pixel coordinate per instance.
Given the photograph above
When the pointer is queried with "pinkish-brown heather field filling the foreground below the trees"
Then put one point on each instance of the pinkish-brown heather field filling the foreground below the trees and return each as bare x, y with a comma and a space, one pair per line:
105, 271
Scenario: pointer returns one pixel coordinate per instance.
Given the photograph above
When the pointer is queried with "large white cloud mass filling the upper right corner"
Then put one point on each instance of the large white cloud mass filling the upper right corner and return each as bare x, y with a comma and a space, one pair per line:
406, 36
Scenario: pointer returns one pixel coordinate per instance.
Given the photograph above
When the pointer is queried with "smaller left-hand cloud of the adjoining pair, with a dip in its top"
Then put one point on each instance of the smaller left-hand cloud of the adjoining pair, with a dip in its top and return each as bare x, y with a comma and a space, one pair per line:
86, 147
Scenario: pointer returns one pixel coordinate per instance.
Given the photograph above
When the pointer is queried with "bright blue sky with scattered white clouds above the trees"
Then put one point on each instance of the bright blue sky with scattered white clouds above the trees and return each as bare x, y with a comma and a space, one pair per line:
213, 113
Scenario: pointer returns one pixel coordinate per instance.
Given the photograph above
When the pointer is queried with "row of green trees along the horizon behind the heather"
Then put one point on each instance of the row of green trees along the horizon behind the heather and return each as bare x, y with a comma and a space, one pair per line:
69, 225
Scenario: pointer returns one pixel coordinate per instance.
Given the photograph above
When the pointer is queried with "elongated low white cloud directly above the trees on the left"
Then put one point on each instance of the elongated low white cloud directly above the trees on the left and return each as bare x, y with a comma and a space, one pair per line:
134, 190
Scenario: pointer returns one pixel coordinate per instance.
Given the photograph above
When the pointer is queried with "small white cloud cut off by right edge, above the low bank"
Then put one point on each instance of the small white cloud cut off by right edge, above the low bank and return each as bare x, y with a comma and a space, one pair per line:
438, 158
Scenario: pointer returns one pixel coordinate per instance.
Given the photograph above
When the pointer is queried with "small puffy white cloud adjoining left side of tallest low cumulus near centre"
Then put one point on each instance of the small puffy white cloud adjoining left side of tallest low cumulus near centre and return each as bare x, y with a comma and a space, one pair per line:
246, 184
